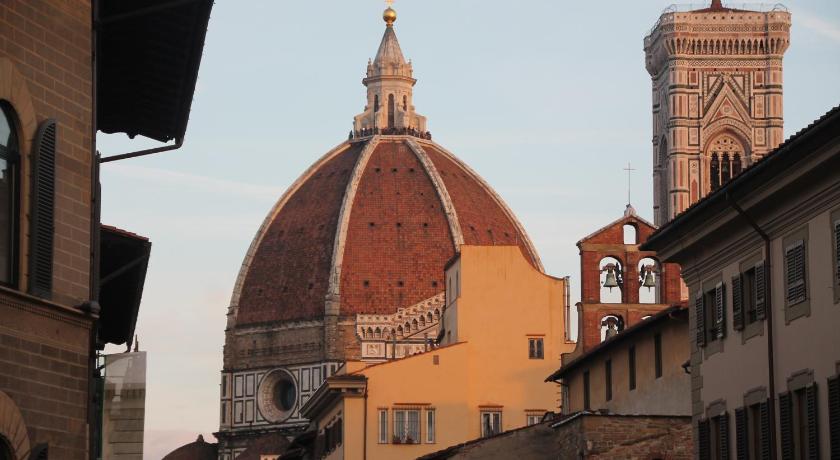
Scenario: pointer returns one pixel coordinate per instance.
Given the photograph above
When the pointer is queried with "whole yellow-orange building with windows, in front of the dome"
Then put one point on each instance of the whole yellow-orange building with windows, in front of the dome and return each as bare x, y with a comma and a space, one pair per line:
504, 329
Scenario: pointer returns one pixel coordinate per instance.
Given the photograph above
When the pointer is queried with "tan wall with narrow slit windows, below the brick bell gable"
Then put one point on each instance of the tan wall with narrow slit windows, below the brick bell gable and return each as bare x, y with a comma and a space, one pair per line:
666, 395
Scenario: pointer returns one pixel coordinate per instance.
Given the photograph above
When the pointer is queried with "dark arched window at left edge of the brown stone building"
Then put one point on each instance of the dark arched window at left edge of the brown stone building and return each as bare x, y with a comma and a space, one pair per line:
9, 158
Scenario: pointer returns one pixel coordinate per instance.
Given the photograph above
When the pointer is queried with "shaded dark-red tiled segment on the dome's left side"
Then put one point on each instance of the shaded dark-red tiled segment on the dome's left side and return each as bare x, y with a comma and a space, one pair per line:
288, 275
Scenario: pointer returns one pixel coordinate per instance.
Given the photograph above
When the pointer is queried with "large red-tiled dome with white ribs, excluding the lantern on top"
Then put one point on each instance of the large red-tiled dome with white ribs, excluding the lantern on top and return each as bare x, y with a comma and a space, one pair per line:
371, 225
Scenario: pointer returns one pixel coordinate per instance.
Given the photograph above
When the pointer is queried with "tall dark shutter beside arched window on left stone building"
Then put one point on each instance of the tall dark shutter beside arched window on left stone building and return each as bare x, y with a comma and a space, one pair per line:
42, 225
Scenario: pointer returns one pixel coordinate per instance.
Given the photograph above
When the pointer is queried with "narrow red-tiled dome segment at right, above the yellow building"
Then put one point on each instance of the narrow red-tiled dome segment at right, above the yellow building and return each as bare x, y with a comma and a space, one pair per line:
483, 216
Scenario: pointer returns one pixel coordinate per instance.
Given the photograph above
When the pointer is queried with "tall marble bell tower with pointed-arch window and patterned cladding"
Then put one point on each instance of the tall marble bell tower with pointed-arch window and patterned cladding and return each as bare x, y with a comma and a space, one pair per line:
717, 98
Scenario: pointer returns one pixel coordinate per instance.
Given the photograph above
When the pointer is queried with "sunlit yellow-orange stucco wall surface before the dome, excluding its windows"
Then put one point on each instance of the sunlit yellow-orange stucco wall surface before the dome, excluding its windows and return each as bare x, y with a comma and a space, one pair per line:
503, 301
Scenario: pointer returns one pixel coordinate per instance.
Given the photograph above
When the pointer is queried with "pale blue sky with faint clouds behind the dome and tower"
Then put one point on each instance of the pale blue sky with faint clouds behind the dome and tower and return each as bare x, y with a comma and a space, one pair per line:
548, 100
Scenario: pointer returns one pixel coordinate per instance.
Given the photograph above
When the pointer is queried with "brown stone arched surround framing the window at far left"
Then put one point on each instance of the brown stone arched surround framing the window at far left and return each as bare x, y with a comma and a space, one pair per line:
15, 91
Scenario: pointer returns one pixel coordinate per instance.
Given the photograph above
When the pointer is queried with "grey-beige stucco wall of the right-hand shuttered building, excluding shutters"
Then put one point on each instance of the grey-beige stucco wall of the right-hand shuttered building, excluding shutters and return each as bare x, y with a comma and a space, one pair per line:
726, 371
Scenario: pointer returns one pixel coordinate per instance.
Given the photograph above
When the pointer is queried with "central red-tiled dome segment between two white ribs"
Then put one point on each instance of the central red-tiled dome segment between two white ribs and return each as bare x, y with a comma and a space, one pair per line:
398, 261
